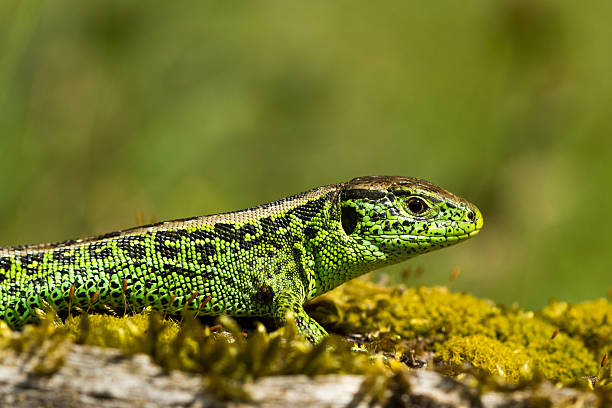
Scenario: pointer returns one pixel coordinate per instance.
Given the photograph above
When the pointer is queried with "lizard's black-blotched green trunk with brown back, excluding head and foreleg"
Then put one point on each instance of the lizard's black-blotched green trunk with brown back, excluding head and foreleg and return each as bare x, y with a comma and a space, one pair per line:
226, 256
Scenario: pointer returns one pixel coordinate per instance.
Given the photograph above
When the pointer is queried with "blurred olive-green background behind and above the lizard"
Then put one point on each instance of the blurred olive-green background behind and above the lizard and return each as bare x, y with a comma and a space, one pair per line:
109, 109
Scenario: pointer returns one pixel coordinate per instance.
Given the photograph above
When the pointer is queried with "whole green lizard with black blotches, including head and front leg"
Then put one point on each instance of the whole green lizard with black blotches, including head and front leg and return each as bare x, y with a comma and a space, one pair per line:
265, 261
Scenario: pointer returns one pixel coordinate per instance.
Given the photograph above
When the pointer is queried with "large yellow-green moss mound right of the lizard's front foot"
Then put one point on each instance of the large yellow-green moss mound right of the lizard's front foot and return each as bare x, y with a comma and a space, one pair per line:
458, 328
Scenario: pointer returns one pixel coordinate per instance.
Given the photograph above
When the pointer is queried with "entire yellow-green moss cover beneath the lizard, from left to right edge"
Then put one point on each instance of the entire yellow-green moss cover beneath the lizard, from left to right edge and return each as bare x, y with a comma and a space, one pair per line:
459, 330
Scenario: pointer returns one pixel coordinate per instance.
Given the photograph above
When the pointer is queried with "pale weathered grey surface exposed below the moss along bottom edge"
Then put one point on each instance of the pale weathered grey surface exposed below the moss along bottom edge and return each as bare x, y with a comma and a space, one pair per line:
97, 377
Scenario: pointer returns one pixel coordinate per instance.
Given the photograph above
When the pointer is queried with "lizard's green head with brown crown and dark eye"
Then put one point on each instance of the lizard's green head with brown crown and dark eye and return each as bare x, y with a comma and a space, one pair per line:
394, 218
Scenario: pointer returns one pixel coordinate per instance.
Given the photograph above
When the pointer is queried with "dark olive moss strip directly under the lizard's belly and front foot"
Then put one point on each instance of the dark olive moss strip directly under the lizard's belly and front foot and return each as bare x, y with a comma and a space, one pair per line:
225, 358
